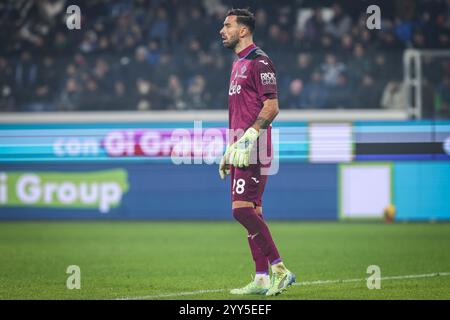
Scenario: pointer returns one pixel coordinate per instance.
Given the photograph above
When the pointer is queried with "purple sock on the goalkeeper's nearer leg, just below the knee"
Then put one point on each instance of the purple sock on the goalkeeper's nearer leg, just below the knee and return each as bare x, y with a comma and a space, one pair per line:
258, 232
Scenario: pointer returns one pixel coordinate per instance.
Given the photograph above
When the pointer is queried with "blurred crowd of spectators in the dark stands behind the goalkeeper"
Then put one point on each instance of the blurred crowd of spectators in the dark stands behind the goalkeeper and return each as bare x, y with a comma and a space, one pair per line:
158, 55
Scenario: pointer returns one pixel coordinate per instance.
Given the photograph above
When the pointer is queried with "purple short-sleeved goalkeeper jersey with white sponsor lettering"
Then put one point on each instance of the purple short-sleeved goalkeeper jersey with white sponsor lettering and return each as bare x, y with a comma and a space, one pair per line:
253, 80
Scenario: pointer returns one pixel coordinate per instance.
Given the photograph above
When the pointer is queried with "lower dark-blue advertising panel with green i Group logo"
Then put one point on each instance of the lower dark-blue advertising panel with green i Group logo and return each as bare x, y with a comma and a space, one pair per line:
157, 191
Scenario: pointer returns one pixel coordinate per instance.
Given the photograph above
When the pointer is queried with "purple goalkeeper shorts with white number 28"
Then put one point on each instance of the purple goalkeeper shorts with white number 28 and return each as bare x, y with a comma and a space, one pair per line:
247, 184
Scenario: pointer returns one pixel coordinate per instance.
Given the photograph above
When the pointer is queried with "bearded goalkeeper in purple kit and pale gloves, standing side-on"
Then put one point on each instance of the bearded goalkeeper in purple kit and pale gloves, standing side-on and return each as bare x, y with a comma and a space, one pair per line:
253, 104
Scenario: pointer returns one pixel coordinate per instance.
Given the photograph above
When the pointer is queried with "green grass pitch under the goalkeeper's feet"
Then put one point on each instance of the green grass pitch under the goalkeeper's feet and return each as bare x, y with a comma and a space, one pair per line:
177, 260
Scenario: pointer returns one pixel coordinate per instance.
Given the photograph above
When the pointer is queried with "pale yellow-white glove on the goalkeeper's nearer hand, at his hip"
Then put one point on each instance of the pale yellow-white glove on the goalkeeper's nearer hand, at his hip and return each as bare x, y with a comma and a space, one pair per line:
241, 150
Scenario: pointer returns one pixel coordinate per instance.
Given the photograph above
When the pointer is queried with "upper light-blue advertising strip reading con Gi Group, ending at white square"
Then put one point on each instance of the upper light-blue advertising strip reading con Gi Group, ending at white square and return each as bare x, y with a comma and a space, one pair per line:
137, 142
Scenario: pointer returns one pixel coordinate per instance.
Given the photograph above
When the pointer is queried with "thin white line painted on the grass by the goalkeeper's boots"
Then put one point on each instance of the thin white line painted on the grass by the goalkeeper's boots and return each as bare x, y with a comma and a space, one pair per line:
303, 283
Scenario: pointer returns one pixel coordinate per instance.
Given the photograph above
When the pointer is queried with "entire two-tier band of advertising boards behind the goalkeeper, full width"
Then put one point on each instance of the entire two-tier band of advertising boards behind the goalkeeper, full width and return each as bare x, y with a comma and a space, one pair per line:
129, 171
